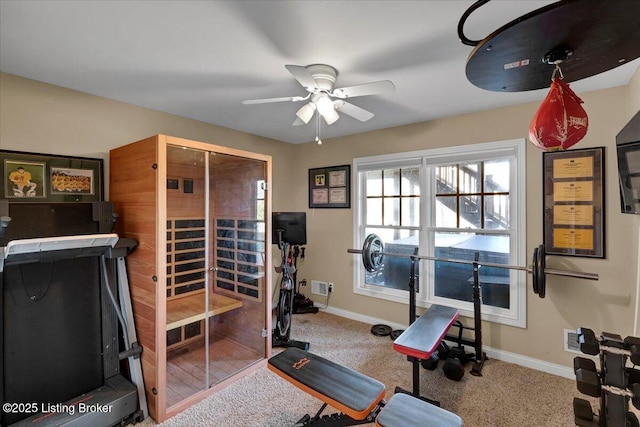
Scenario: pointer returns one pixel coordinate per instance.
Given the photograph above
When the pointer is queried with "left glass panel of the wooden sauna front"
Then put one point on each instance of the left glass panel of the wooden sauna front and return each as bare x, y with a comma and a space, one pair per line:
187, 269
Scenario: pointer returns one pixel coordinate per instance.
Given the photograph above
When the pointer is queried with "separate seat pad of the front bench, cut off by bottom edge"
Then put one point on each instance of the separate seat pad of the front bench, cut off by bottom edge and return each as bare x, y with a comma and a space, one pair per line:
404, 410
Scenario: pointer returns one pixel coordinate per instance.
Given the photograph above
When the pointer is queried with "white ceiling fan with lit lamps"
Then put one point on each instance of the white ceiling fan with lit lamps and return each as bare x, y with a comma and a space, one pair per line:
318, 80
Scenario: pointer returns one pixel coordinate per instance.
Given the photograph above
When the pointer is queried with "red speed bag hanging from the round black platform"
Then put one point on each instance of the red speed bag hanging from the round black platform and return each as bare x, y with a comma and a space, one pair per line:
560, 121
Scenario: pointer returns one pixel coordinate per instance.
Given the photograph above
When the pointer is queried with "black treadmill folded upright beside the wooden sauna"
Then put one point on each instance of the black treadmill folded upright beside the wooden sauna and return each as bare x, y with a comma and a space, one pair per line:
68, 351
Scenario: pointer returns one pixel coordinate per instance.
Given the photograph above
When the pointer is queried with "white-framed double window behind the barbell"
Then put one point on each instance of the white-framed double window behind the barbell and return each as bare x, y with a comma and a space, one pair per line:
450, 203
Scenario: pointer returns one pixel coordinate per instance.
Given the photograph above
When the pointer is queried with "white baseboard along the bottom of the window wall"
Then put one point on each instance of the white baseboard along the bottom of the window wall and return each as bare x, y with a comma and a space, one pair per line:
492, 353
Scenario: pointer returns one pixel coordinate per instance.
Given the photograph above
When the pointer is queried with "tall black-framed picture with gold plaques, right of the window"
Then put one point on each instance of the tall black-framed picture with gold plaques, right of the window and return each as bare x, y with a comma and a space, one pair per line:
574, 202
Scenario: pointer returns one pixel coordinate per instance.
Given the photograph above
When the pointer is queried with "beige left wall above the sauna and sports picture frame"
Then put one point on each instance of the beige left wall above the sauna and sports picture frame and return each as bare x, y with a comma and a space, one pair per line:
41, 118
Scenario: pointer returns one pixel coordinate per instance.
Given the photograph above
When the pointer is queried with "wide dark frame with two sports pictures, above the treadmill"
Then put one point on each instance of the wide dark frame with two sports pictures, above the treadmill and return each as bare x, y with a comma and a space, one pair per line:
30, 177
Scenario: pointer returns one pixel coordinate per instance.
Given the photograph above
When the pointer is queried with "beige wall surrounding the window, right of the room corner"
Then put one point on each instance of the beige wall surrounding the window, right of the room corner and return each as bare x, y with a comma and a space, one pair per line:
603, 305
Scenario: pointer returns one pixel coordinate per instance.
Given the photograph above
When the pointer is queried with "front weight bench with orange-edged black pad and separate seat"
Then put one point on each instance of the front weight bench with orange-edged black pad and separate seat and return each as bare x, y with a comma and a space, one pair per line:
357, 396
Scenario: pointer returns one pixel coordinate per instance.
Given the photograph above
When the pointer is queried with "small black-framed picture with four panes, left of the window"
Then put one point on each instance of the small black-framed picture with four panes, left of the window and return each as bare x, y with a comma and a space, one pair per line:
330, 187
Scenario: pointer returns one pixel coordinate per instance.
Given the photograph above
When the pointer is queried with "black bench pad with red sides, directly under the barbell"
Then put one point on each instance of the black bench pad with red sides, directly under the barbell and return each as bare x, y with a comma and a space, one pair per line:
423, 336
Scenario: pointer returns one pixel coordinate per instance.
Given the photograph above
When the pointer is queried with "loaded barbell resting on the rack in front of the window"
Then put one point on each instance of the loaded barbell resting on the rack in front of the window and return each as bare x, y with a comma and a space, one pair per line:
373, 253
